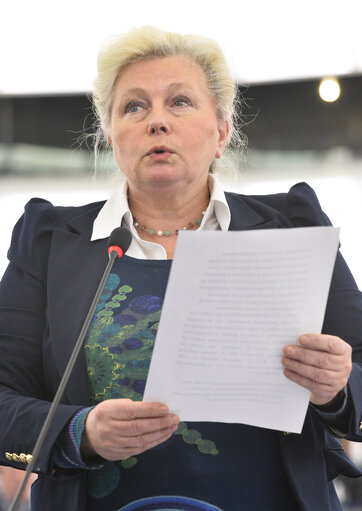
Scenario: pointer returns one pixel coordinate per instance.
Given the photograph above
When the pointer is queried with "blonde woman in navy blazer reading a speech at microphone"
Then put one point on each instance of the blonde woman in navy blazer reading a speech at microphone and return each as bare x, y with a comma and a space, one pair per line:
165, 106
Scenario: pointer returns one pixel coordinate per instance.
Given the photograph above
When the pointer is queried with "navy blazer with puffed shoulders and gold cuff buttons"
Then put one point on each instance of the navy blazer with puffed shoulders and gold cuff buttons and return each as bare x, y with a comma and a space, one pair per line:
45, 294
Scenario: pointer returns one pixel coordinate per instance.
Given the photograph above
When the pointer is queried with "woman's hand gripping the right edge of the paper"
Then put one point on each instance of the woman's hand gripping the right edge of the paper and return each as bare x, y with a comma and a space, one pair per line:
321, 363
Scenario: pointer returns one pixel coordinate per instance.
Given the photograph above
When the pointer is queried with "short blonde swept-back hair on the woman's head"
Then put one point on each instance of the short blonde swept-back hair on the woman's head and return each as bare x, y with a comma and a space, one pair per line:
148, 42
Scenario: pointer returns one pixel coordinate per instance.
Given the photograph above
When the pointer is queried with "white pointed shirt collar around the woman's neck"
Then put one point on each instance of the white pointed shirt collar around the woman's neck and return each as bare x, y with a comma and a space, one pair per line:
116, 211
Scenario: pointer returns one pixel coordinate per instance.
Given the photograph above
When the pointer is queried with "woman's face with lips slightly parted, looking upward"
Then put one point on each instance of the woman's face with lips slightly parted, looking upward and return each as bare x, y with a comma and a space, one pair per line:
164, 129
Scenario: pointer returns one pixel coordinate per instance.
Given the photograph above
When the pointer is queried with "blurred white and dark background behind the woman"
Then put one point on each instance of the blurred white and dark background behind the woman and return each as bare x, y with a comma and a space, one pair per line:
299, 70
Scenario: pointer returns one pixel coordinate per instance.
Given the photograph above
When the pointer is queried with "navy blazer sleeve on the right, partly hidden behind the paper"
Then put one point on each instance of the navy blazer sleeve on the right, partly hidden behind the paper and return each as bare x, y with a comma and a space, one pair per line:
343, 316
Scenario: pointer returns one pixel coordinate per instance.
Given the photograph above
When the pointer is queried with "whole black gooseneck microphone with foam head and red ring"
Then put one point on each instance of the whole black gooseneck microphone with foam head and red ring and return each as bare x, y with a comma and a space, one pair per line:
118, 243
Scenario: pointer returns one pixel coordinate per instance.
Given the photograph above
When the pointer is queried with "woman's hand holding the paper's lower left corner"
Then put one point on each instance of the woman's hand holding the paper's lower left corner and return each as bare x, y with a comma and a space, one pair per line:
117, 429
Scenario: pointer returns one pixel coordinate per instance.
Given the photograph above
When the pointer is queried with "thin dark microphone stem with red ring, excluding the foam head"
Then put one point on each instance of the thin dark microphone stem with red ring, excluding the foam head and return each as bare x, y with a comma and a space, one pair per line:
78, 345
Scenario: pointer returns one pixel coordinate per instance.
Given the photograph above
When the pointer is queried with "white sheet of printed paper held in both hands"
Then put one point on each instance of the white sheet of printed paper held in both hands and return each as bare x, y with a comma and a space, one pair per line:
233, 301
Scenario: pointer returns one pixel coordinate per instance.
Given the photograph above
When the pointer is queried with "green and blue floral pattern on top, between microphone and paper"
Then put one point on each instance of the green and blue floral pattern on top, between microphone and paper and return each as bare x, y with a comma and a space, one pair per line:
120, 343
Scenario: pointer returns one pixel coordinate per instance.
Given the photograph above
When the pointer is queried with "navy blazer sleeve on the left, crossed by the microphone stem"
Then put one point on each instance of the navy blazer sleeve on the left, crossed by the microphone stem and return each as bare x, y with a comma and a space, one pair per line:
24, 397
